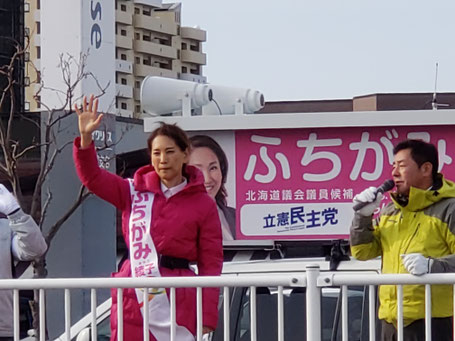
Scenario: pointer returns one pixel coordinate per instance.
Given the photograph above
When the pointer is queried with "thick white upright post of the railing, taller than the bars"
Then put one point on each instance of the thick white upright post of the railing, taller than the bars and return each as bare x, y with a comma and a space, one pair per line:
313, 304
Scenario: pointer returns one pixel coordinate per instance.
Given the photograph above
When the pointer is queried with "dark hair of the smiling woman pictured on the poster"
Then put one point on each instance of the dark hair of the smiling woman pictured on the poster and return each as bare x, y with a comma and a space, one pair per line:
199, 141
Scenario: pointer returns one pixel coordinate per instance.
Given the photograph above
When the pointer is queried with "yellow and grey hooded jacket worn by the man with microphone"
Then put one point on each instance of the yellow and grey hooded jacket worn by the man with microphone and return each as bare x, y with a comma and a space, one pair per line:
426, 225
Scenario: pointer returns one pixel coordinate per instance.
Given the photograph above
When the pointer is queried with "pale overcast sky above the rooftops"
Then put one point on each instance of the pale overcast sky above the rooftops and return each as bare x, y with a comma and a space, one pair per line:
291, 49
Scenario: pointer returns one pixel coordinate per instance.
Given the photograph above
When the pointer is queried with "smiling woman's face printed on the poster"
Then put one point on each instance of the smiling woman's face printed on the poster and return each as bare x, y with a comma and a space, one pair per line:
207, 162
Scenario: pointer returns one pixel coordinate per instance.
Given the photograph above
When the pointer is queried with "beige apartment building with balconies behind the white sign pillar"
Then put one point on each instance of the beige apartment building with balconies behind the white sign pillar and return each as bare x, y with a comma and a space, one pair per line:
149, 40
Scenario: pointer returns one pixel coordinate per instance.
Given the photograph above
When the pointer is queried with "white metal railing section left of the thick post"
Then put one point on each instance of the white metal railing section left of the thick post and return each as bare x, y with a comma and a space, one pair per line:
198, 282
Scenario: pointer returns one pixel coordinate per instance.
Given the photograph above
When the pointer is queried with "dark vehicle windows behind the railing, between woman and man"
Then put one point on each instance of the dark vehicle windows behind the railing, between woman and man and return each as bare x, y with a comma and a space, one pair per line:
295, 314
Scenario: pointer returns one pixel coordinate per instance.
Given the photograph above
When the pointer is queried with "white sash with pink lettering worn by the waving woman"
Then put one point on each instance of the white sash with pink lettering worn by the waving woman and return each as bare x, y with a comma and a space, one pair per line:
144, 263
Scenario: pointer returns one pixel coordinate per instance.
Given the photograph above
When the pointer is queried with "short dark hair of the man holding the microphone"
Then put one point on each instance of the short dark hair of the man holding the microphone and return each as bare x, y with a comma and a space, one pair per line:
421, 152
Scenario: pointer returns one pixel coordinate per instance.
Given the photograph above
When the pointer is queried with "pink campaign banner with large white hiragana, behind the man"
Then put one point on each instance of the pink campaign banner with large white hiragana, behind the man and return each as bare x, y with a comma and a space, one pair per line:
299, 183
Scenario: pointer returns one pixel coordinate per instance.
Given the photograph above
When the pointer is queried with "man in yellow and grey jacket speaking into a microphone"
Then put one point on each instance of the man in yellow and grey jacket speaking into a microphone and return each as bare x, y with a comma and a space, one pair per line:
415, 233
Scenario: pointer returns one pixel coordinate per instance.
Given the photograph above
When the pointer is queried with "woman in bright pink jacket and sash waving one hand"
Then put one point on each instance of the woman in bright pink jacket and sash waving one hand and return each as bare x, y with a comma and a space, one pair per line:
168, 220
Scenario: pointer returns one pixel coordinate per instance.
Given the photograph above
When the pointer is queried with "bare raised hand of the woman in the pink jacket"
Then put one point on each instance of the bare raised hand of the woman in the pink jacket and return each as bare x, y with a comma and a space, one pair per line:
89, 120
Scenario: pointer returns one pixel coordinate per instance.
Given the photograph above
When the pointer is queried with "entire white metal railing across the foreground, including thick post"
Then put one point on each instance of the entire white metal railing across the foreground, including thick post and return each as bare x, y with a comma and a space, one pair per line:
313, 280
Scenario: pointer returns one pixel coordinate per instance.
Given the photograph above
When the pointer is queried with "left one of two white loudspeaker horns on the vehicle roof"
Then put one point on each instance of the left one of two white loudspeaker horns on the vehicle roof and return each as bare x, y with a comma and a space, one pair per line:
161, 95
